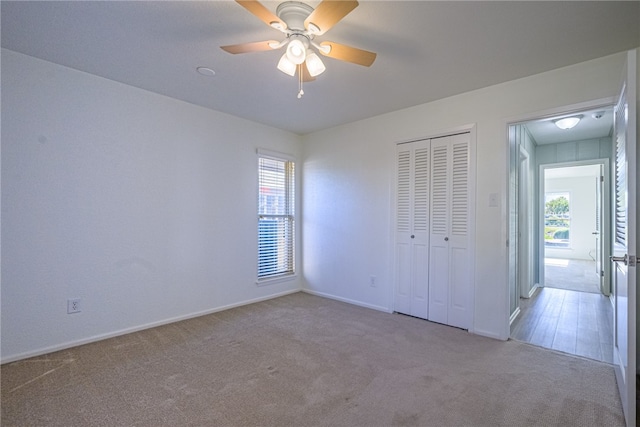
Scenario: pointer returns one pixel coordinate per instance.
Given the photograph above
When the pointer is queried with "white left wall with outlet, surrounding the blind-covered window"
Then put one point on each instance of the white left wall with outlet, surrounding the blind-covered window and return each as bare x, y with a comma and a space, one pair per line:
141, 205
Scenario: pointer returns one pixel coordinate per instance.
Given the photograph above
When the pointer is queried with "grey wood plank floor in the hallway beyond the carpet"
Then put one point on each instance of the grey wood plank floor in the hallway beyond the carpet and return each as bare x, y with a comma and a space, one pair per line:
573, 322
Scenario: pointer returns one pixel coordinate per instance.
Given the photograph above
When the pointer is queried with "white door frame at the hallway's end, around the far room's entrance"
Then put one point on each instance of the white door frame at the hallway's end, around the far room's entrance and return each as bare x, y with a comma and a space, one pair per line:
605, 282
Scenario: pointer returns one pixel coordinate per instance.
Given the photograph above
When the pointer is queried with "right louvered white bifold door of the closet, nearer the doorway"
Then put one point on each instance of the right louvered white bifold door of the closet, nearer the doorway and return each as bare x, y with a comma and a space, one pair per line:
449, 275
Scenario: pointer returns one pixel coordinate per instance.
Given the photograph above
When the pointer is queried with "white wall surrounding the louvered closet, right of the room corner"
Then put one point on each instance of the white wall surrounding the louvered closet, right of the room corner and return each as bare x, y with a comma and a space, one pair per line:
349, 176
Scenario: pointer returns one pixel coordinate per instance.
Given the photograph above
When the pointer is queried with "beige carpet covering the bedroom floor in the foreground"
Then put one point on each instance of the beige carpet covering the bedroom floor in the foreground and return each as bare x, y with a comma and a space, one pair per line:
302, 360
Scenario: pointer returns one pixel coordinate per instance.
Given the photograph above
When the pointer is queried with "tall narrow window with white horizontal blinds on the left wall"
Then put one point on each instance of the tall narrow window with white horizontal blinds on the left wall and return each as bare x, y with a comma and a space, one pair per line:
276, 222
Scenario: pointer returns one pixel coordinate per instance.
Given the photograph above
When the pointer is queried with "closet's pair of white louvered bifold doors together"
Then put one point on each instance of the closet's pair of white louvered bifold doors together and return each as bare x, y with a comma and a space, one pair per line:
432, 233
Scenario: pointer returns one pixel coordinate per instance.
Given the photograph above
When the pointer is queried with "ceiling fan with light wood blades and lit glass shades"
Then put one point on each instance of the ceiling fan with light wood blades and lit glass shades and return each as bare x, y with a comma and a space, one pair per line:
300, 23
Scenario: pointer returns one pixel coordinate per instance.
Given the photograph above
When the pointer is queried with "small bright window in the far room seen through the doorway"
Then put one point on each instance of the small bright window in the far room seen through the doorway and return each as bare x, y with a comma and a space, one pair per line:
557, 220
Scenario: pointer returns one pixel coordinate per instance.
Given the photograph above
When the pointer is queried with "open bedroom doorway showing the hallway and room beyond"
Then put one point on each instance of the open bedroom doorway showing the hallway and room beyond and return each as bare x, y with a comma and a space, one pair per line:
559, 285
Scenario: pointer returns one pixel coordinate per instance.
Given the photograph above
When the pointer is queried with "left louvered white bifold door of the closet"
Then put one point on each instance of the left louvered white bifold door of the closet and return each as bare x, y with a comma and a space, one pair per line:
412, 225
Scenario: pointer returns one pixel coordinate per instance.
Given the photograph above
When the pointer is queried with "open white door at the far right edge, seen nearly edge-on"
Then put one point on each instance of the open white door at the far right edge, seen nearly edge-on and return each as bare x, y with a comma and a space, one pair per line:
624, 242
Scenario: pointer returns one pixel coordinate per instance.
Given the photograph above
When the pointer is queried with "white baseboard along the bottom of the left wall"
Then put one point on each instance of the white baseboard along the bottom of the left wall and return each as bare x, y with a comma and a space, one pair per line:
126, 331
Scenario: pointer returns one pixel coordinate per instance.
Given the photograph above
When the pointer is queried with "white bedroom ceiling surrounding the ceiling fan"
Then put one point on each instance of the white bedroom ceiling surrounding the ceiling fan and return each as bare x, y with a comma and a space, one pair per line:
426, 50
